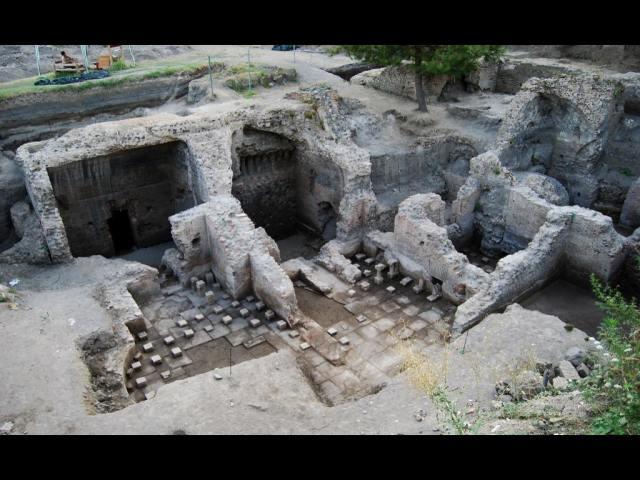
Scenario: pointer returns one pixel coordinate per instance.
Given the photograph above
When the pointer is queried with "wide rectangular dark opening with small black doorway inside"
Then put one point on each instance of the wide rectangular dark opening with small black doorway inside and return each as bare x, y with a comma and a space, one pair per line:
114, 203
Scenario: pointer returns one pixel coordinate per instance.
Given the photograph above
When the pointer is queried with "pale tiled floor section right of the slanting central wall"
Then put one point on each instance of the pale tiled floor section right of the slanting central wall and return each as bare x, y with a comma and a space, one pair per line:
370, 327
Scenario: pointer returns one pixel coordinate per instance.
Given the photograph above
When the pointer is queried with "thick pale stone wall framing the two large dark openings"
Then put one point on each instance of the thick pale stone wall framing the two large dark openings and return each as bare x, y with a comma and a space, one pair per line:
340, 179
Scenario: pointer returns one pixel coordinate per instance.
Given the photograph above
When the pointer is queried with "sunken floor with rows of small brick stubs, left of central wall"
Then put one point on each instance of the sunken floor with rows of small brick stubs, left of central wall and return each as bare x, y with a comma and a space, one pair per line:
213, 344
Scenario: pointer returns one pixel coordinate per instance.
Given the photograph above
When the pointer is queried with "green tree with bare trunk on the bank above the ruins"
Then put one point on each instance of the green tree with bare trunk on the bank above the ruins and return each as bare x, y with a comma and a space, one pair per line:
454, 60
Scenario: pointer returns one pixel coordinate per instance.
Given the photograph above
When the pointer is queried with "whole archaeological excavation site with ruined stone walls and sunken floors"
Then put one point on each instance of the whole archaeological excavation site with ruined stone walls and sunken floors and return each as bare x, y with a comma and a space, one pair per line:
305, 239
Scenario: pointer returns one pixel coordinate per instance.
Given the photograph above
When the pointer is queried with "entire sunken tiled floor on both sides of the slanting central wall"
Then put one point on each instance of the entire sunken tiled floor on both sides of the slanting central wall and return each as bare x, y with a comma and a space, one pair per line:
371, 322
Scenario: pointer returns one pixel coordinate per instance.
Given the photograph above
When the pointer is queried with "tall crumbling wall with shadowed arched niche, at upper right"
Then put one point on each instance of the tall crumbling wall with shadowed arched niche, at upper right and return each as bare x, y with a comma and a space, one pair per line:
560, 127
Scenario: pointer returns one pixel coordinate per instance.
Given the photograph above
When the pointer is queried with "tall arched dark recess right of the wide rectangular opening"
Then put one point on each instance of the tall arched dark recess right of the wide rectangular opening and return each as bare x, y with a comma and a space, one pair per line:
287, 189
